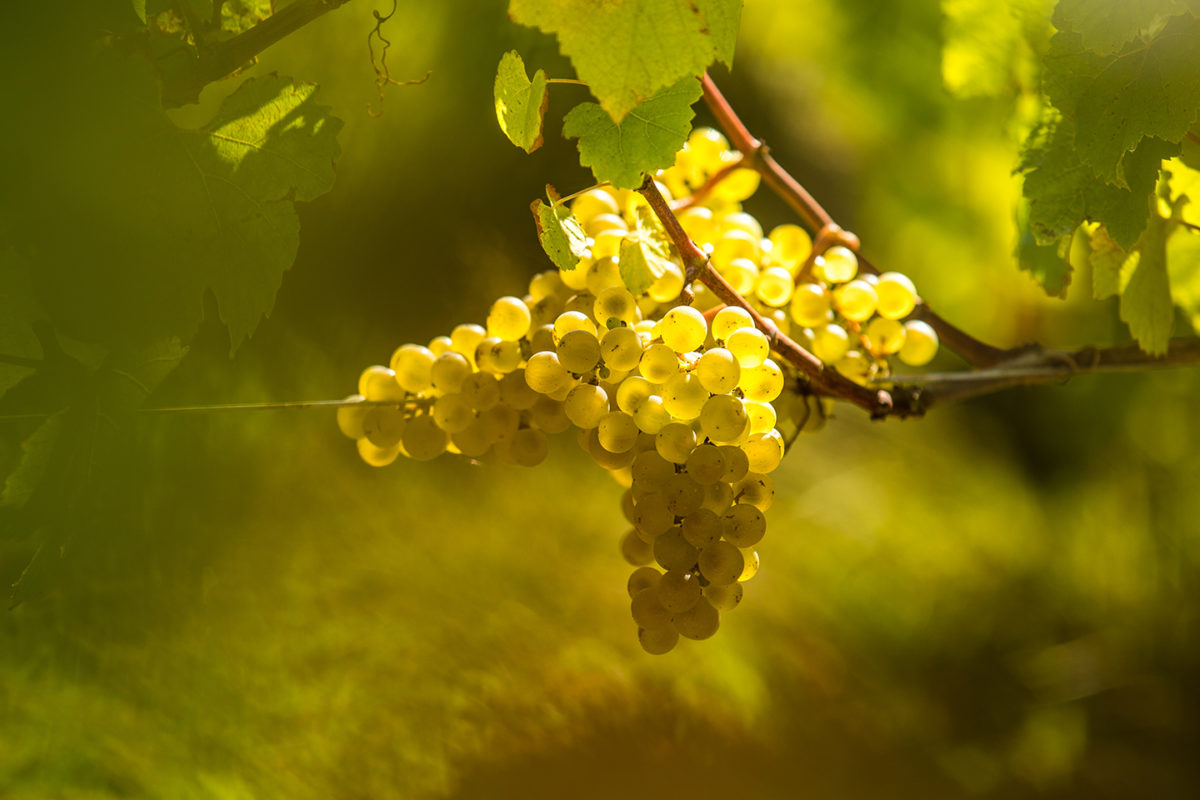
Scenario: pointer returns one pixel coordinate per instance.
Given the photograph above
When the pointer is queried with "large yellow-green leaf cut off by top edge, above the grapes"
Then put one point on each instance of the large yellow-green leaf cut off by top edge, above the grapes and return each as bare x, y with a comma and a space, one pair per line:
628, 51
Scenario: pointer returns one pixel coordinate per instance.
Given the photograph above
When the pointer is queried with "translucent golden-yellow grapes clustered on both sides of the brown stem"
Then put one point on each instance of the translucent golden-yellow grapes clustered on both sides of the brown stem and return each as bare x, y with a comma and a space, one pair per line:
682, 404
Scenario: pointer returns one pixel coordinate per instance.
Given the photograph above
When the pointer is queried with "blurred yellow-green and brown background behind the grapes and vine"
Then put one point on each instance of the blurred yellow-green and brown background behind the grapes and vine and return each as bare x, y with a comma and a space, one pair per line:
997, 601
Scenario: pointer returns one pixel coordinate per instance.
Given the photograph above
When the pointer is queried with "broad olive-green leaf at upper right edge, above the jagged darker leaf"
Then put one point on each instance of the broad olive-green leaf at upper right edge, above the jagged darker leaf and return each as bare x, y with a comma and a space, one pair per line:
1150, 89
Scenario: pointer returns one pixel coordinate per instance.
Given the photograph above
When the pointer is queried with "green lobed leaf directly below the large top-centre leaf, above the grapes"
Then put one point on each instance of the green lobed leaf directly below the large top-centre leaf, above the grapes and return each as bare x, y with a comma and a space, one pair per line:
647, 140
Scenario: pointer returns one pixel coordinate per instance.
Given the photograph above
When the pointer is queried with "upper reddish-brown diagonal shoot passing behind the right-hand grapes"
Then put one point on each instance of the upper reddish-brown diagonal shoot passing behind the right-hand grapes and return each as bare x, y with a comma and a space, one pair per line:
758, 157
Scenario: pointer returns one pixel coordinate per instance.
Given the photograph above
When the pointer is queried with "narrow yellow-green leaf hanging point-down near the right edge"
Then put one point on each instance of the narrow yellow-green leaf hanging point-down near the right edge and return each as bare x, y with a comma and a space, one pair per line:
1147, 305
